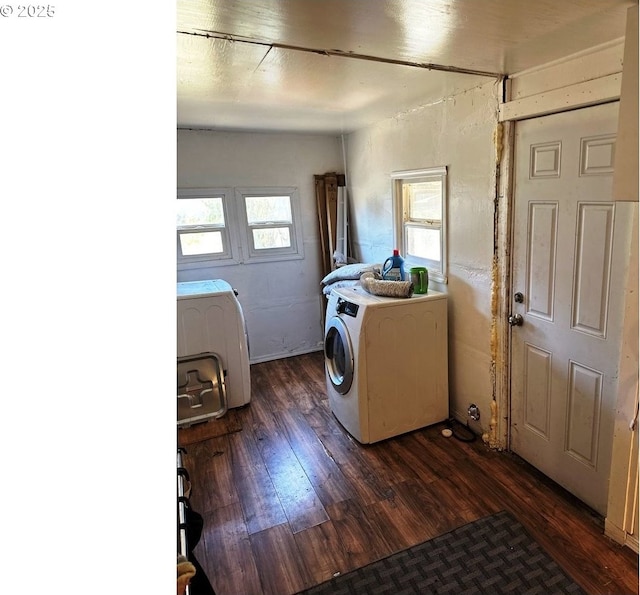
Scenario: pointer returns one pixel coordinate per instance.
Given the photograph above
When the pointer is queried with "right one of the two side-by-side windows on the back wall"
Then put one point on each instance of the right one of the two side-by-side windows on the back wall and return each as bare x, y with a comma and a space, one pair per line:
270, 220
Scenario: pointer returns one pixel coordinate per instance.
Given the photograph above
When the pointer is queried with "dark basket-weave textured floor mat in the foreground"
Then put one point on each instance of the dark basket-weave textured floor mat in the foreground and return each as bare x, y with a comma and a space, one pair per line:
492, 555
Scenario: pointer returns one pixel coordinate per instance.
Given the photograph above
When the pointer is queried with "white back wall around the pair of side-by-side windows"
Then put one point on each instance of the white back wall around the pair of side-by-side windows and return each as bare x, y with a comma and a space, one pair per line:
281, 301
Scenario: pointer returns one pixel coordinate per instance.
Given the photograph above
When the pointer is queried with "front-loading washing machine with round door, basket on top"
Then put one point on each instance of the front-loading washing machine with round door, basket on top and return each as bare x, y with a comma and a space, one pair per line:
386, 362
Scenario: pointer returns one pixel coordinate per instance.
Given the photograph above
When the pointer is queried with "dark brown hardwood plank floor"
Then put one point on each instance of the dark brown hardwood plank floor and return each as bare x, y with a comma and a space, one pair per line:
289, 498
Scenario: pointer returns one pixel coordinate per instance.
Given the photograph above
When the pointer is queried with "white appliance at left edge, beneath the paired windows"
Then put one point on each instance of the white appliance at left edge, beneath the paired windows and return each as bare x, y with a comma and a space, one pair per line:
210, 320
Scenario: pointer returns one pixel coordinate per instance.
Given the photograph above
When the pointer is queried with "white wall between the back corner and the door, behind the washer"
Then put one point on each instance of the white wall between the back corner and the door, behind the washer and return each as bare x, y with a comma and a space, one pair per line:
457, 132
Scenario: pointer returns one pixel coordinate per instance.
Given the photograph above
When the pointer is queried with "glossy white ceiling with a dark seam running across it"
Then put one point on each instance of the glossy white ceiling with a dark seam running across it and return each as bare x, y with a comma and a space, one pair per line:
332, 66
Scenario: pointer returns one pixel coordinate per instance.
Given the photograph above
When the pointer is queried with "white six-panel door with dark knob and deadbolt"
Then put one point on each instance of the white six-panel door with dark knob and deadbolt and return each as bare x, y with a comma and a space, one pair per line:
567, 289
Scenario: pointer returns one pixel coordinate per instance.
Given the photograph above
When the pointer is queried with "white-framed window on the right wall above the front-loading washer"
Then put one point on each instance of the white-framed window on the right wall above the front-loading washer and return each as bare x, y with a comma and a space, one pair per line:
420, 207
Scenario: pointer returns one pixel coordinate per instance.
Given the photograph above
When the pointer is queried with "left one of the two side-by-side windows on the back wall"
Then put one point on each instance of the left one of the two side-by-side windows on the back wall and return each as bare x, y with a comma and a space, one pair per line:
202, 224
